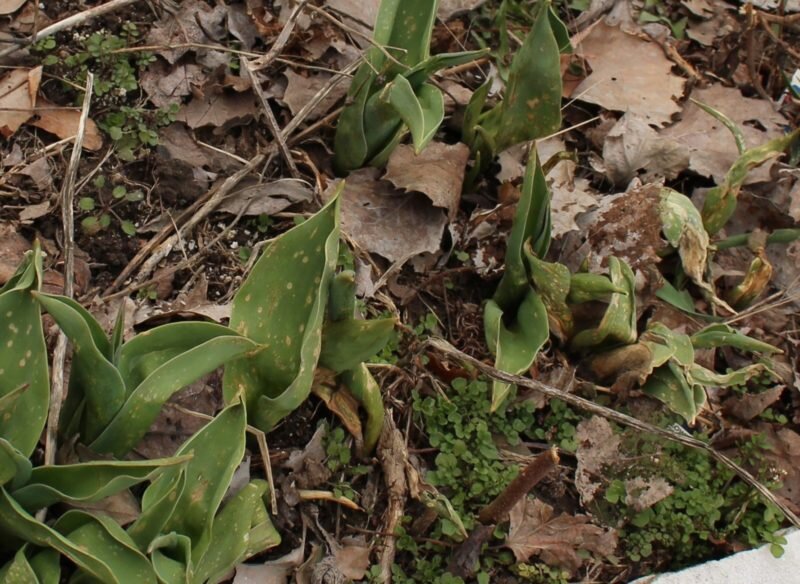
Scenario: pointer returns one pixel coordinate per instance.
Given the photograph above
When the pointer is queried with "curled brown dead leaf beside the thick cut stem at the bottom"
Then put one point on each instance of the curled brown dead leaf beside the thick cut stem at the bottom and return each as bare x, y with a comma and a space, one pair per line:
534, 530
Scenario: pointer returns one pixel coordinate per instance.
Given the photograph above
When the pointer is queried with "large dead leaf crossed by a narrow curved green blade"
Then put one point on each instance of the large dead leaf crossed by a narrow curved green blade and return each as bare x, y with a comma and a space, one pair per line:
712, 148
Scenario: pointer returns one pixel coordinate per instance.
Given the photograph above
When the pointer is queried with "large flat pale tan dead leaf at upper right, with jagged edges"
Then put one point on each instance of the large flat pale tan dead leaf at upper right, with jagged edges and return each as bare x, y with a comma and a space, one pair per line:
644, 85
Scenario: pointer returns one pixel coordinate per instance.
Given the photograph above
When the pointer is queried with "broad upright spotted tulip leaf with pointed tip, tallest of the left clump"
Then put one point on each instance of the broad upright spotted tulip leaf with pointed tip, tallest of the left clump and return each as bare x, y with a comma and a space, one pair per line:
281, 306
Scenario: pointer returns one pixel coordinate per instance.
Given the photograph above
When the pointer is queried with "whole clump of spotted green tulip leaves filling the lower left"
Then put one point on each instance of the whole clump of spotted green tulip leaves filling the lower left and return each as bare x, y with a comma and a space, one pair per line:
291, 317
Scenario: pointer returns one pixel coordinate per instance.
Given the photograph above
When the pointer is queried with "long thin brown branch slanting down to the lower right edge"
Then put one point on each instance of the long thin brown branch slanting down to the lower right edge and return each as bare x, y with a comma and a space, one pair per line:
589, 406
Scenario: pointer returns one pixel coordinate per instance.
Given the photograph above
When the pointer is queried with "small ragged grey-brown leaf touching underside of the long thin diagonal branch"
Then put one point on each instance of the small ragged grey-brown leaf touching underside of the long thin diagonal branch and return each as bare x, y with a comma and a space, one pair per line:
598, 447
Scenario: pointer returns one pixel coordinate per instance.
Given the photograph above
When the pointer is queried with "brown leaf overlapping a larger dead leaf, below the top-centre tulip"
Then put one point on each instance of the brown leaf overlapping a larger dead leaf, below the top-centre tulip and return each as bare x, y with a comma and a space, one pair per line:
437, 172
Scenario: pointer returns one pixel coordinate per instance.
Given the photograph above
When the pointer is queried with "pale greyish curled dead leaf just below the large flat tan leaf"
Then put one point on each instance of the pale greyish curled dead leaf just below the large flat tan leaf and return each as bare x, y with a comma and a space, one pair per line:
632, 146
